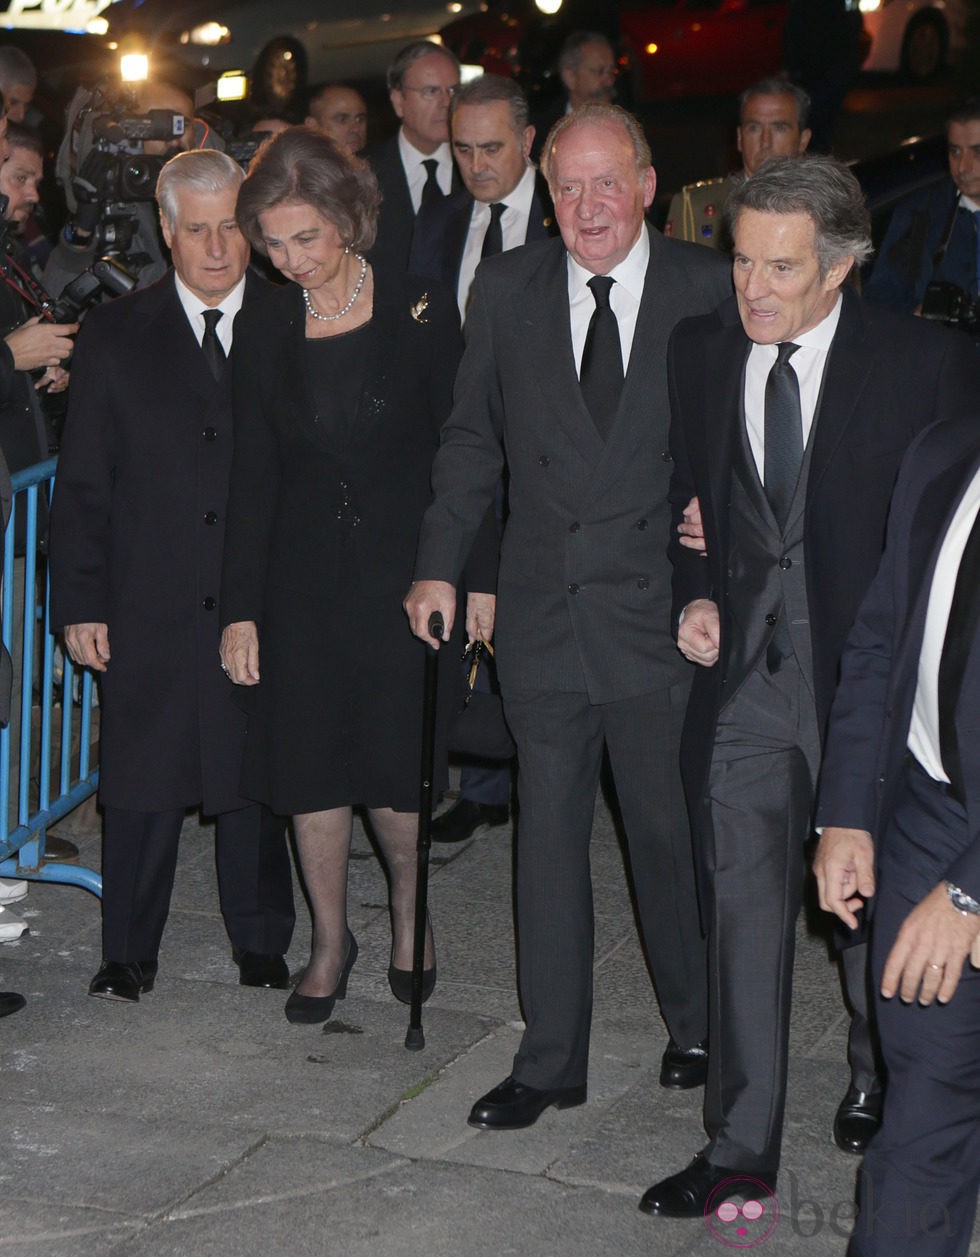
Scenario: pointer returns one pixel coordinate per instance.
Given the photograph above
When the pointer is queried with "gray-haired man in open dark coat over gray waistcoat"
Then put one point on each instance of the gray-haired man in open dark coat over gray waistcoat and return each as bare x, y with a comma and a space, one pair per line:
795, 476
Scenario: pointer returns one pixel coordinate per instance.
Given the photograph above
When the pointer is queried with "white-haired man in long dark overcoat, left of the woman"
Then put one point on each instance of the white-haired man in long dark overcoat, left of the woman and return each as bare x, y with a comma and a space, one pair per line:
138, 532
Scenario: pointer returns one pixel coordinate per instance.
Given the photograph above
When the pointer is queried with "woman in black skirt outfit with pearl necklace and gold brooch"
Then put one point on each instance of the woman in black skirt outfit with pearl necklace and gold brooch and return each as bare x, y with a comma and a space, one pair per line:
342, 383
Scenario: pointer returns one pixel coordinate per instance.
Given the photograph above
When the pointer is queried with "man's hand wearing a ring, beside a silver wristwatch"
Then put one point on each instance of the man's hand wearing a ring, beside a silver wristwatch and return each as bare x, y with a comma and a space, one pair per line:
928, 957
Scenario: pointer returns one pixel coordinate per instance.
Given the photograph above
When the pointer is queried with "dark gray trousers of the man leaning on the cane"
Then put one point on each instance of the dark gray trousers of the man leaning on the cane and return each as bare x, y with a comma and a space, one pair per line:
561, 740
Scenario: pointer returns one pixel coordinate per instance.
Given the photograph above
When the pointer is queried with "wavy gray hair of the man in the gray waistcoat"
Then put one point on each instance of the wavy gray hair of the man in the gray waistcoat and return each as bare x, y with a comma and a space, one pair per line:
821, 188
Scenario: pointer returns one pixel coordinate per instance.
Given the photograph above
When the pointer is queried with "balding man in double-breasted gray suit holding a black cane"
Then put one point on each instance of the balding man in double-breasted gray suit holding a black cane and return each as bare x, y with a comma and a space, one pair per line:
563, 376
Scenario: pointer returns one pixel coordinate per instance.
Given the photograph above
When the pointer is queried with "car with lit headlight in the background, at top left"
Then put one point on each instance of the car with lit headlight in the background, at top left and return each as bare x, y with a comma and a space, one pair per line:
283, 46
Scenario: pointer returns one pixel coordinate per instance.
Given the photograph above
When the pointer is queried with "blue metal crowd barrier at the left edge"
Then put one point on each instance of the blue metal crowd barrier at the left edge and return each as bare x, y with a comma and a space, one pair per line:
61, 731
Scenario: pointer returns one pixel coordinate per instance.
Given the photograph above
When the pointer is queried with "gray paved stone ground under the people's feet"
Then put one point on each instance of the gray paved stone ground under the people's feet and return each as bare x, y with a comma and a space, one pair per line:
202, 1123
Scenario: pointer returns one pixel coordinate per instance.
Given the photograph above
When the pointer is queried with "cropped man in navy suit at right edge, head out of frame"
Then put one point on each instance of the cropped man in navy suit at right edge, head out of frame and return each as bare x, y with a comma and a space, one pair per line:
899, 806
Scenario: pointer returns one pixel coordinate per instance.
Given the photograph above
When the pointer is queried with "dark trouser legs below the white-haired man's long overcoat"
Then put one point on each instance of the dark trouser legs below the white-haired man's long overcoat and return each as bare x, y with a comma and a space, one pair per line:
140, 860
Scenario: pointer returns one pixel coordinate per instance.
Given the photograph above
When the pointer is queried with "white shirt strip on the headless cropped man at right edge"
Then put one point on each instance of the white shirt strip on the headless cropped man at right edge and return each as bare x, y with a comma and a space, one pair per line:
924, 740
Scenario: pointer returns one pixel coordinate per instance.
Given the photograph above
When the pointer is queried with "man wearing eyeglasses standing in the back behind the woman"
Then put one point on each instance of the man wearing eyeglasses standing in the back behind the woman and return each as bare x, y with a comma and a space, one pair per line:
415, 167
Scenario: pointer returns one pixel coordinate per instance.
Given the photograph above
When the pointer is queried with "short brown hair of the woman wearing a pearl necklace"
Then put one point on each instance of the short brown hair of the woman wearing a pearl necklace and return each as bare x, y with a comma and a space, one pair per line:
301, 167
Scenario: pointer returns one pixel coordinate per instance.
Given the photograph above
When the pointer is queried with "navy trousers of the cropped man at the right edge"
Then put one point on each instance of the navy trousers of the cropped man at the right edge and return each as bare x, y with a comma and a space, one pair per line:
922, 1175
